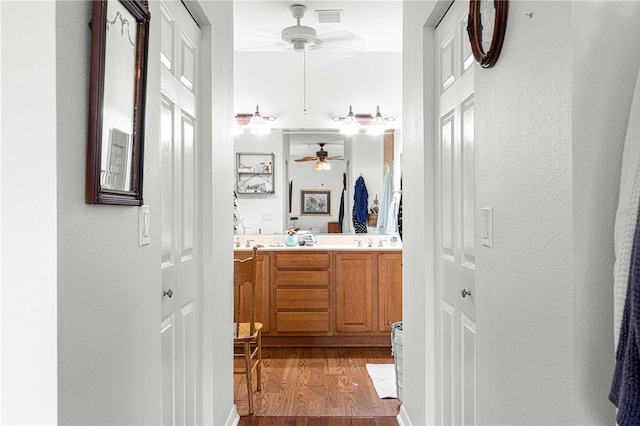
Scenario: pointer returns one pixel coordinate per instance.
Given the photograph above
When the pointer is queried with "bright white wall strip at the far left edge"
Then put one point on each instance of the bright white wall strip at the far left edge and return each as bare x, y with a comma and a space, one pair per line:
28, 216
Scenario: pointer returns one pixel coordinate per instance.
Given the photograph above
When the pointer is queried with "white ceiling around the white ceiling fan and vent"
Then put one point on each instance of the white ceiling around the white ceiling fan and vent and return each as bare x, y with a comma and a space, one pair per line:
376, 25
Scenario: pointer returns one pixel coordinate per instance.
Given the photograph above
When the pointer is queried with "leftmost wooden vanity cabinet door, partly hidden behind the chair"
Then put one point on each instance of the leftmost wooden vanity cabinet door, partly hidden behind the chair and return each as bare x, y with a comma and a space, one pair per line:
262, 292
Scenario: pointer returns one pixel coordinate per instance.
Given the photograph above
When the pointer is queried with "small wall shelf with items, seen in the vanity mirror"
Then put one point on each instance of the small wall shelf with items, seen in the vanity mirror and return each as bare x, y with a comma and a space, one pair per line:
254, 173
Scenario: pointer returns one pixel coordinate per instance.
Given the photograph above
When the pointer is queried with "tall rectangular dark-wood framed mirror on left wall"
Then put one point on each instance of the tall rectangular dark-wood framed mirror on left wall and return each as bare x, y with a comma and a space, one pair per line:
119, 51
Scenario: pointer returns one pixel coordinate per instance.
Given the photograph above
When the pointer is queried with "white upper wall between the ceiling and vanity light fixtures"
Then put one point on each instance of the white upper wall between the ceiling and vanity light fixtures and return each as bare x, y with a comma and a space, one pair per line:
334, 81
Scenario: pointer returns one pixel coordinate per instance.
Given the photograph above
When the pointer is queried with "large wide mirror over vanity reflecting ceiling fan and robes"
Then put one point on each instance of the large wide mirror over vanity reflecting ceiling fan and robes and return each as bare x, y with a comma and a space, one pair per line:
310, 180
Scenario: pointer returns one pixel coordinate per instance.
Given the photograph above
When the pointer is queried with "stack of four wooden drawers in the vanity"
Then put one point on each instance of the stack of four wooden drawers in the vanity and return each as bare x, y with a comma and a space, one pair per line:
302, 293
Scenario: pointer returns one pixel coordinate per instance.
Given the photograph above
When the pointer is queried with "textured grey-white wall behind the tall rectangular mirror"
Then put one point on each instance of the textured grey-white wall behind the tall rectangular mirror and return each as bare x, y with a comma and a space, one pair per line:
108, 286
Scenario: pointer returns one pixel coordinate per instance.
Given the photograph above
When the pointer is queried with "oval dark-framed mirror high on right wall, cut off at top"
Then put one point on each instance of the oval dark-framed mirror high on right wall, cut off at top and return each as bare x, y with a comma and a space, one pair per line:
486, 28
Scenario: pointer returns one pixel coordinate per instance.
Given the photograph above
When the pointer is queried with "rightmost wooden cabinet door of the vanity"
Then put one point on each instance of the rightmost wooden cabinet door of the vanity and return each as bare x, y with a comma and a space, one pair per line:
389, 289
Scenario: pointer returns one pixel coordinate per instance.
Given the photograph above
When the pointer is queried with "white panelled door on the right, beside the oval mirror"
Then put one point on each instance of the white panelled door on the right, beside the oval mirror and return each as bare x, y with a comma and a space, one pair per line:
455, 193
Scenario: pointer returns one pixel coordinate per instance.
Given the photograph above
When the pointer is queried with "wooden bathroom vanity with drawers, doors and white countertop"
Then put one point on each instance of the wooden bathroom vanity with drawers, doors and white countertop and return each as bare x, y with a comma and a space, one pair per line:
328, 294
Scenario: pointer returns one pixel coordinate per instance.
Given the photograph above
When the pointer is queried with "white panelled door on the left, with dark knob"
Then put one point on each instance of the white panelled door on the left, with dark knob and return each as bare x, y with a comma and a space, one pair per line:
180, 263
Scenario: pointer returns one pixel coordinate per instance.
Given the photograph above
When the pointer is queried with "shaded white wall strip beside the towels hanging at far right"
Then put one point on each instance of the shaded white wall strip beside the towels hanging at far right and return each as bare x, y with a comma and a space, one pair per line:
604, 73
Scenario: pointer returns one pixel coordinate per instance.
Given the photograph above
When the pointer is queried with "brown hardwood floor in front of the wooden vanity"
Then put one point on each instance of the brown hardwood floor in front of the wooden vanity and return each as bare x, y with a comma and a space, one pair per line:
317, 386
